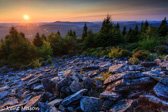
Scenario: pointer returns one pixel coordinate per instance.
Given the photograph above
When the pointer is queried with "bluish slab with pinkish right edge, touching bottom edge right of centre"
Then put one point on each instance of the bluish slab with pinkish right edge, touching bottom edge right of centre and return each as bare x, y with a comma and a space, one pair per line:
121, 106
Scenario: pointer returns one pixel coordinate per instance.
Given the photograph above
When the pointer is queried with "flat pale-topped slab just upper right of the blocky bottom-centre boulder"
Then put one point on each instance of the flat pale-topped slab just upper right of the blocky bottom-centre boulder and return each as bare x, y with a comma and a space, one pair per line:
109, 95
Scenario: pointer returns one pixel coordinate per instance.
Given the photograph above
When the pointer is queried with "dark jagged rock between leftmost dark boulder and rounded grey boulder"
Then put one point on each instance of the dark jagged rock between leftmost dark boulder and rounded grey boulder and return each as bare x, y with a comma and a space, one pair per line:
65, 82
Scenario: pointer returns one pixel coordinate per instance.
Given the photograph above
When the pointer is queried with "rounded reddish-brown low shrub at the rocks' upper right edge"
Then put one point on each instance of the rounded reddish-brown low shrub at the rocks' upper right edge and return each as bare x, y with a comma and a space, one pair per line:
141, 54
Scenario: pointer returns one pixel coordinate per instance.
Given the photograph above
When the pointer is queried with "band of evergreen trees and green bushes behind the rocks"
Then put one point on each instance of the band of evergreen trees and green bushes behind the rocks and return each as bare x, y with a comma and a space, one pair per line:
17, 50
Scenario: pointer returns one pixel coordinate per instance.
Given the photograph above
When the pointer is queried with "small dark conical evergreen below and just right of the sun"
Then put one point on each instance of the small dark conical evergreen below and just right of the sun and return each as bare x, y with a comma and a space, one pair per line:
38, 41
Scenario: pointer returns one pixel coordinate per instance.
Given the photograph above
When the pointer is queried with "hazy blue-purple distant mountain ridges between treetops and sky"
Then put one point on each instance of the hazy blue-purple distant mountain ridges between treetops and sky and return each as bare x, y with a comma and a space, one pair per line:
31, 29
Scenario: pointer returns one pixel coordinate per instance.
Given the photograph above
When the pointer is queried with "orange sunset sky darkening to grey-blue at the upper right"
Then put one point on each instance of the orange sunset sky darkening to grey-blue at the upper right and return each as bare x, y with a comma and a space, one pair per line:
82, 10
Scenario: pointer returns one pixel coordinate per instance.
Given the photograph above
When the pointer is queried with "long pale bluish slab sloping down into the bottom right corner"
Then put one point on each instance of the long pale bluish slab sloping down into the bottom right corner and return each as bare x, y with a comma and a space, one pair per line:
153, 99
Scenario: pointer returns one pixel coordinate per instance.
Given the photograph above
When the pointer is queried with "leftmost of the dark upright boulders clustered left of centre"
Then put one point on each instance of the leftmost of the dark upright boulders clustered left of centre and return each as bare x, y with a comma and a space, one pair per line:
49, 85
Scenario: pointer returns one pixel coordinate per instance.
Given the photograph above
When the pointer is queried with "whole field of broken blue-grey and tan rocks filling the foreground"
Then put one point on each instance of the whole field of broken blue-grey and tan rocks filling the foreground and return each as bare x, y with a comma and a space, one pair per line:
87, 84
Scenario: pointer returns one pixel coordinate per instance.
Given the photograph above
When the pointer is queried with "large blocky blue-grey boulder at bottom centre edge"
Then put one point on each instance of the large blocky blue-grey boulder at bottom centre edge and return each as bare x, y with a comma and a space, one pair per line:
90, 104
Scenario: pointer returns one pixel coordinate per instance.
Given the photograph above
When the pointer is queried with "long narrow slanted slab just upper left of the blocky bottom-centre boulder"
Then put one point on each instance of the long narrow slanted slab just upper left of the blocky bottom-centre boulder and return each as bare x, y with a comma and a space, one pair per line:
76, 96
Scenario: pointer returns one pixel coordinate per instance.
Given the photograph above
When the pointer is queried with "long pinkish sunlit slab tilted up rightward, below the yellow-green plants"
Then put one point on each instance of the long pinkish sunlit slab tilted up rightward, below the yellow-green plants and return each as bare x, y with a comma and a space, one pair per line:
114, 77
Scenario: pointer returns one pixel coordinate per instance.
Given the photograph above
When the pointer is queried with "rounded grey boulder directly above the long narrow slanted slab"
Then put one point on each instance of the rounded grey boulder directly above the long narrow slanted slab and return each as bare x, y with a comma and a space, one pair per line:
75, 86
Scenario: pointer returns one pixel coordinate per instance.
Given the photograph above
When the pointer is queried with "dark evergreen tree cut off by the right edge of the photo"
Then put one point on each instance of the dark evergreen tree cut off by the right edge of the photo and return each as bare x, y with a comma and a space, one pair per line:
163, 28
